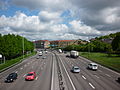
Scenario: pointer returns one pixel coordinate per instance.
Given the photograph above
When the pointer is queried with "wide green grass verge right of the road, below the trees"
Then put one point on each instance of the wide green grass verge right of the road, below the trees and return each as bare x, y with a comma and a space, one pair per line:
112, 62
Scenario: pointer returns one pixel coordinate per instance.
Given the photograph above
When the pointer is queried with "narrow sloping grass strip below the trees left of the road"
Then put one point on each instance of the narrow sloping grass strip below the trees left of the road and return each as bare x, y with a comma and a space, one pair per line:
9, 63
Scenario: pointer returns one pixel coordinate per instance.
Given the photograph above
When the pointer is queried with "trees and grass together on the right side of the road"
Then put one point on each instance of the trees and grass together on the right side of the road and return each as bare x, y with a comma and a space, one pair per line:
104, 50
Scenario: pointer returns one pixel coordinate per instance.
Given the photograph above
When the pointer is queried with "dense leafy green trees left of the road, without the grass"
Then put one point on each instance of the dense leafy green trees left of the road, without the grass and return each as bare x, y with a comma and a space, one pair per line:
11, 46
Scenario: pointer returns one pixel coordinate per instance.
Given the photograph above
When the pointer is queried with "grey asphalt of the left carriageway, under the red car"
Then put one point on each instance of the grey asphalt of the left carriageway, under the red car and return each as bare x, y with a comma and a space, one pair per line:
43, 69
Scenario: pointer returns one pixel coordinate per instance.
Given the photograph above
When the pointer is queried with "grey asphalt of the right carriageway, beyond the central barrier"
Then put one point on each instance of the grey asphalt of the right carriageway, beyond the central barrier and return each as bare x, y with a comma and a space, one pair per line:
102, 79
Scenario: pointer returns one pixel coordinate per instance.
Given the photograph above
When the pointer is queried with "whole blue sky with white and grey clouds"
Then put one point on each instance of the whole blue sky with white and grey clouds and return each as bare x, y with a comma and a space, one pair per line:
59, 19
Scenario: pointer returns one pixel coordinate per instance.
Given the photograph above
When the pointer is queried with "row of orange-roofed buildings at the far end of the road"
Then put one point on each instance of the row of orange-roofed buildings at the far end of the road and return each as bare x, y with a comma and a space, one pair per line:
57, 43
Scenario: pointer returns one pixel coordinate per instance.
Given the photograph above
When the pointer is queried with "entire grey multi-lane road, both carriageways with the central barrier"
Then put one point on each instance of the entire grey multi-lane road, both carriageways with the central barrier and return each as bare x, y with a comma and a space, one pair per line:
53, 73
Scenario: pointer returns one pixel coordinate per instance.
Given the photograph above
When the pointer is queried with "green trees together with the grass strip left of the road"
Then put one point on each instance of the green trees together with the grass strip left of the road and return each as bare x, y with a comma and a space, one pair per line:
11, 49
